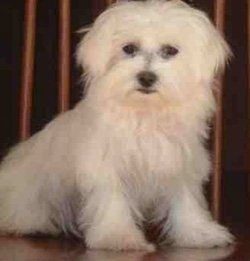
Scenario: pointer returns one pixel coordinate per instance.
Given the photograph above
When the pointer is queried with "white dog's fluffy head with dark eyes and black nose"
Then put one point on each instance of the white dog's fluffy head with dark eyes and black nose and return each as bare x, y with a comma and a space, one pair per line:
152, 54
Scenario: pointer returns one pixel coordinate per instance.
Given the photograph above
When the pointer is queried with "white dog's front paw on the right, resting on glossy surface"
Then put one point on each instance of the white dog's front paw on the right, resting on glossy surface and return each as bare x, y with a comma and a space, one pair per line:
205, 236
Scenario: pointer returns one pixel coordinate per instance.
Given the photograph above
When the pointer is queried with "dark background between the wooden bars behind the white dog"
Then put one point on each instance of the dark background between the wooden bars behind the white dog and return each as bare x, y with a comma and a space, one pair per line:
45, 91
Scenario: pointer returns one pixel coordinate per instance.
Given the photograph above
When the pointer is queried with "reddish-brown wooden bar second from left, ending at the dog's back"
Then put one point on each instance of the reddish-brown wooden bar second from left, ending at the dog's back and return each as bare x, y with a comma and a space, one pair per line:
64, 56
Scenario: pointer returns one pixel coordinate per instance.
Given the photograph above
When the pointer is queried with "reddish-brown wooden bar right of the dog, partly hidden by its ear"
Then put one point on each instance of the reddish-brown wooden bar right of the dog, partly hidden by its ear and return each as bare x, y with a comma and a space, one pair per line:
219, 18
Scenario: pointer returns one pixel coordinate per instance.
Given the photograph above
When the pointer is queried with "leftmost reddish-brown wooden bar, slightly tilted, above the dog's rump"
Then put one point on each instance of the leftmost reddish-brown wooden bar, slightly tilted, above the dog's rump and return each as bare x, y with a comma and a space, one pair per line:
28, 68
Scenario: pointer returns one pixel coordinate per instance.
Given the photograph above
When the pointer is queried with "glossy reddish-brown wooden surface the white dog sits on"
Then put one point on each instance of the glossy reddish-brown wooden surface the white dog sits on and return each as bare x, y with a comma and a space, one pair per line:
48, 249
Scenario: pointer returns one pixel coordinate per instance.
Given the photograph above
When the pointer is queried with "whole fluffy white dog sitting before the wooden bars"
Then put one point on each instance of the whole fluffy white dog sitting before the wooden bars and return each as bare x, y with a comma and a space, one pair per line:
133, 149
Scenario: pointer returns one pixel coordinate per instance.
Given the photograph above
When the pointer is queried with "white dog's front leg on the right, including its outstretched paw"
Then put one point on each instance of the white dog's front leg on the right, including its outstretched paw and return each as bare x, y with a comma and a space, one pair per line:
189, 222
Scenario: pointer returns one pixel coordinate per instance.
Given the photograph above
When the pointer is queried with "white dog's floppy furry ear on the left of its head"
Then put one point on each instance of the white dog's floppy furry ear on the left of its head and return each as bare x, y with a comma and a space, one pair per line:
93, 51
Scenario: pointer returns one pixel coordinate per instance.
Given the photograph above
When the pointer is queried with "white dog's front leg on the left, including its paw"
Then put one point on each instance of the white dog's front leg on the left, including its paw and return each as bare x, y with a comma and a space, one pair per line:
107, 219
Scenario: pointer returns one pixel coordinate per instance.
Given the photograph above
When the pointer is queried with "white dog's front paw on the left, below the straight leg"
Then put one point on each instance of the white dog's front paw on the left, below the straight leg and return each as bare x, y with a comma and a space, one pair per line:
118, 241
